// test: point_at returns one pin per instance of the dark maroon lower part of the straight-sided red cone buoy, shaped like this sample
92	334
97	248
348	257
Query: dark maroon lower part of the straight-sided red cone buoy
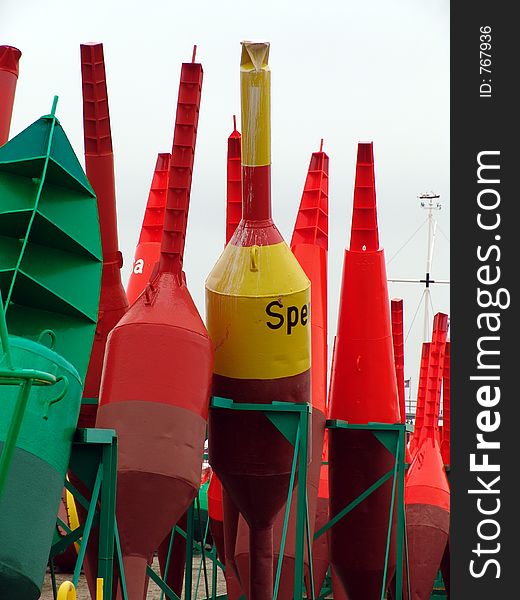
358	541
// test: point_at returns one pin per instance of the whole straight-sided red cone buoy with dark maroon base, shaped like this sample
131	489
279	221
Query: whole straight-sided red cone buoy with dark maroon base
363	389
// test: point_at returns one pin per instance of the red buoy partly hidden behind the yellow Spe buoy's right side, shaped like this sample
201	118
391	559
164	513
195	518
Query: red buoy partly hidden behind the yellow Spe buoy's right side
309	245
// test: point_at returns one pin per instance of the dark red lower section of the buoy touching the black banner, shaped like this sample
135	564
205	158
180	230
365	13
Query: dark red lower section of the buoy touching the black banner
427	530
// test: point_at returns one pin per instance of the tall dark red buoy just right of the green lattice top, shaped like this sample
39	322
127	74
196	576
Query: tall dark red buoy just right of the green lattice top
99	162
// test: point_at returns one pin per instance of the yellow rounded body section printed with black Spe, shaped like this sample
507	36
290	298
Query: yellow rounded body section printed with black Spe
258	313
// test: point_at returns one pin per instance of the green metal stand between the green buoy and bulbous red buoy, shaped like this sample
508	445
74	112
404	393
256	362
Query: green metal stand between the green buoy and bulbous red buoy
94	461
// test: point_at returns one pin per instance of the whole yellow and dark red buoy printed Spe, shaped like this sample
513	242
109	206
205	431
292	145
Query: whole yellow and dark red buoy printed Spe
257	306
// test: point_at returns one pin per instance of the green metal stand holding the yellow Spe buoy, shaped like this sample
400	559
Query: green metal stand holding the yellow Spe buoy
292	420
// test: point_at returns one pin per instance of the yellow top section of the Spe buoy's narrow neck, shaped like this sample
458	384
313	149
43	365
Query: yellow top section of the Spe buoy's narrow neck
255	88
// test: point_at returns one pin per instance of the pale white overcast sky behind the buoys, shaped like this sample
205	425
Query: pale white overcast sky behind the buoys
343	70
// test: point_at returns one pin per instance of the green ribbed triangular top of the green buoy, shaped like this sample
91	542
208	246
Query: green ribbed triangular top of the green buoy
50	246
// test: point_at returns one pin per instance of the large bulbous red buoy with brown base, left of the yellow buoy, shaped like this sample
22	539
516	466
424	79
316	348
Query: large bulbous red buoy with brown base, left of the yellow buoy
157	377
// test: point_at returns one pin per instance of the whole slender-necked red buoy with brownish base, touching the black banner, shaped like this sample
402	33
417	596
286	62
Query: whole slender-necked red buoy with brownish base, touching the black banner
427	493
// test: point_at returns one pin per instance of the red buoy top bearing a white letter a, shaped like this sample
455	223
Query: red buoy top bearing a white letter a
148	248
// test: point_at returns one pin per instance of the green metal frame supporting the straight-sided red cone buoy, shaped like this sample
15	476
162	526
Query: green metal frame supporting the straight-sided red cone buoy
393	437
